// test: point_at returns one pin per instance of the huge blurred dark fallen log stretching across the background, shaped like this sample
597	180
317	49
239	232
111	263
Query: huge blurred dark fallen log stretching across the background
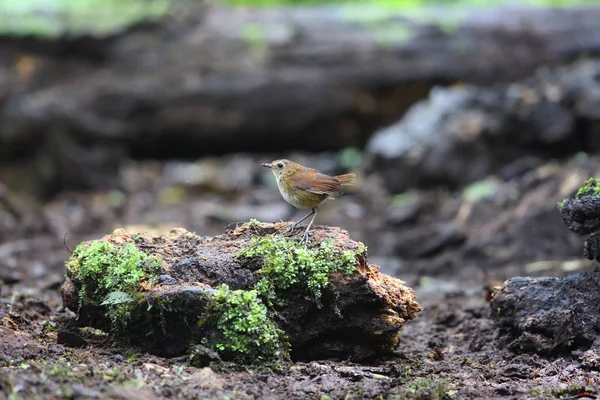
215	80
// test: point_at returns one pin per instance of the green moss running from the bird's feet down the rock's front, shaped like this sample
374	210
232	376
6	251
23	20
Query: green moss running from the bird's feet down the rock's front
243	317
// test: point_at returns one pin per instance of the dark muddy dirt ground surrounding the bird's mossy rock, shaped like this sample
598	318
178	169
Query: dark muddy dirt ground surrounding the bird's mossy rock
450	247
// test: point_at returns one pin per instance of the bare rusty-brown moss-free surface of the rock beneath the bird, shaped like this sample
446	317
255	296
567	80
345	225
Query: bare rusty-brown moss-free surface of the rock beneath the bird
358	315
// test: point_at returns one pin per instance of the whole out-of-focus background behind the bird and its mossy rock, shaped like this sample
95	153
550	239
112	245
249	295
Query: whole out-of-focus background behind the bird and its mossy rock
466	121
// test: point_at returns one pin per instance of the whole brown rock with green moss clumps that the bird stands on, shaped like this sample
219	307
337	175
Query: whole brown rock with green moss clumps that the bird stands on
251	294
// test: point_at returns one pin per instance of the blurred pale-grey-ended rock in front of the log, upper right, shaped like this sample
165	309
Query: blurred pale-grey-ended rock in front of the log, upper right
463	134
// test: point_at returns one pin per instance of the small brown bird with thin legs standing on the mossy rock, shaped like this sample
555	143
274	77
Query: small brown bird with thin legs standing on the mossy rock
306	188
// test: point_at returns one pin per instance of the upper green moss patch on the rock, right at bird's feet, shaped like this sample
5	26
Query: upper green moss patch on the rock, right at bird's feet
286	264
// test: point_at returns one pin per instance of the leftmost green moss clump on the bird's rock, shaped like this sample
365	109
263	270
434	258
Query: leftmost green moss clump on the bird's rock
111	276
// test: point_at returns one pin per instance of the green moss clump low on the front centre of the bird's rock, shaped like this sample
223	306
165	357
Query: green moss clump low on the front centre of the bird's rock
247	331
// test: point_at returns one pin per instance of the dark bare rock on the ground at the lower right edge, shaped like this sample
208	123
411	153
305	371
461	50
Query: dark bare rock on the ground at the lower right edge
548	316
